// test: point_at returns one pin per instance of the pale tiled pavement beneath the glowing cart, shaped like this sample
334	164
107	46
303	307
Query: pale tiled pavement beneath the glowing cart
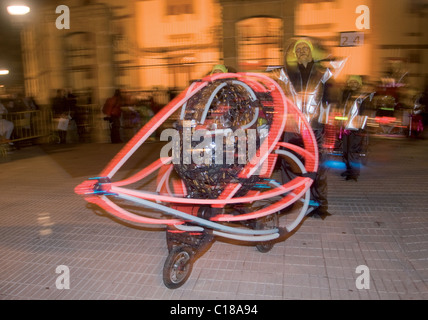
380	222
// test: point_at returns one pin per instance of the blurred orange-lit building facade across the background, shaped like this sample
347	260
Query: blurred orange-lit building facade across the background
165	44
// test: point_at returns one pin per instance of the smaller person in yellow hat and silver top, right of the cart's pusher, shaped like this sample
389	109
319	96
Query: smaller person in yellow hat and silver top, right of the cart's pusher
353	102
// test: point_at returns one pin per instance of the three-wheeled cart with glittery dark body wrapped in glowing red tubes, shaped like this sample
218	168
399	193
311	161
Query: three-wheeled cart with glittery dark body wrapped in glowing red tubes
218	177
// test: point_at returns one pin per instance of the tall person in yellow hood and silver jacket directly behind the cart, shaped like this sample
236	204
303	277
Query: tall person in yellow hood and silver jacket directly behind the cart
305	82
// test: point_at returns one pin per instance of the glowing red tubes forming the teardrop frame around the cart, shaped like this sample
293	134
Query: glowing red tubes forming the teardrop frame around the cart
281	105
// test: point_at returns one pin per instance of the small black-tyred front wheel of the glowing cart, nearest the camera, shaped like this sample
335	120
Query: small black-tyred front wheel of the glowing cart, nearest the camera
178	266
